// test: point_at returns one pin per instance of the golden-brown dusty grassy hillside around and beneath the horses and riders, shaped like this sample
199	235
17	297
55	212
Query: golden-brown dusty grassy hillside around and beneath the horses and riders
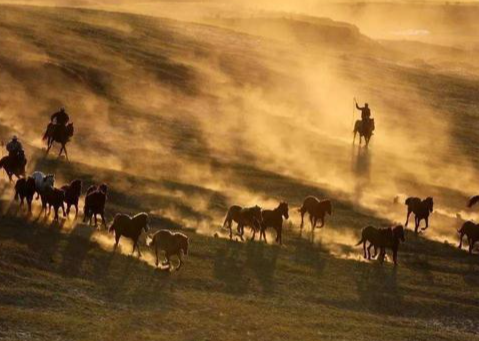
183	120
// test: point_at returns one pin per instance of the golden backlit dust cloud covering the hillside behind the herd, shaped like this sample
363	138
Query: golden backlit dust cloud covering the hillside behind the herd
213	104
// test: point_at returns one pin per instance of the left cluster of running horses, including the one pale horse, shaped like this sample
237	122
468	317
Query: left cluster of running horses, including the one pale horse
43	186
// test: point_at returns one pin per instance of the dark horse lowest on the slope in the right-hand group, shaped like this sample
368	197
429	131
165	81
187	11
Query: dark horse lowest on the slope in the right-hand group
382	239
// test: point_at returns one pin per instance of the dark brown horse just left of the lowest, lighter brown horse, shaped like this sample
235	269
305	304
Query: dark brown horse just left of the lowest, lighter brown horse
129	227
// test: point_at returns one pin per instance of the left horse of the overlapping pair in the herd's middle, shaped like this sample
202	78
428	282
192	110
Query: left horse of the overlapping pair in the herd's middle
250	216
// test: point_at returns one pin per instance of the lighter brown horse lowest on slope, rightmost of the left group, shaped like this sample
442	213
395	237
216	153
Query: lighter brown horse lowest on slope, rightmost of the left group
172	243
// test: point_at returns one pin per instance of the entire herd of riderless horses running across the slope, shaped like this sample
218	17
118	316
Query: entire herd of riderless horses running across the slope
255	218
